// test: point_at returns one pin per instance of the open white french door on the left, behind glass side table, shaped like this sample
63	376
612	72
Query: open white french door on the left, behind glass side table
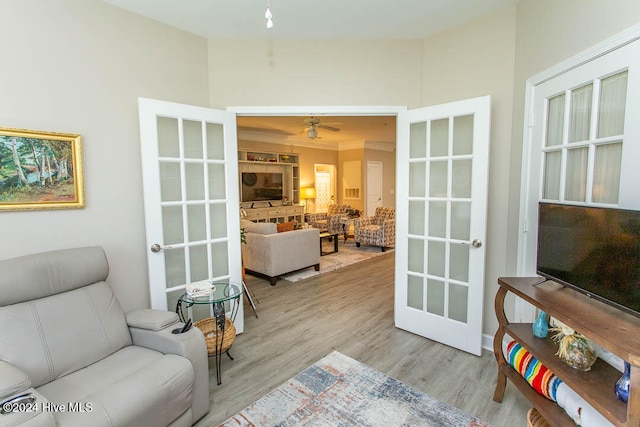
190	178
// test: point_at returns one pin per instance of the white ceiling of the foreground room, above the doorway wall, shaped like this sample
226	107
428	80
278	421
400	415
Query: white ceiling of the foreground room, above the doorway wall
313	19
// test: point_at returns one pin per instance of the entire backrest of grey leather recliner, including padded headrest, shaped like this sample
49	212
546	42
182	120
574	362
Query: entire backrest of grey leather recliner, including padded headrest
58	314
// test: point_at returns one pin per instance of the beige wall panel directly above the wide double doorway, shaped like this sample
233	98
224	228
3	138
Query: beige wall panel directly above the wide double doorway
314	73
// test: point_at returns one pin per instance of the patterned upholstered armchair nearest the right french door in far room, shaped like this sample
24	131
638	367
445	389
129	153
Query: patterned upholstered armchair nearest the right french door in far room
377	230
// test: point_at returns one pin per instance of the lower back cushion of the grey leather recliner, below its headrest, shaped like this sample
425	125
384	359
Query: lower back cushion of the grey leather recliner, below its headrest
43	338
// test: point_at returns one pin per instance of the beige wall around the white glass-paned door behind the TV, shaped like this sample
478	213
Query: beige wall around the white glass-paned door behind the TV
549	32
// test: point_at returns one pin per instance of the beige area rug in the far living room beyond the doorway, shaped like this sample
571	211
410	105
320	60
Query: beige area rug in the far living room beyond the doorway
347	254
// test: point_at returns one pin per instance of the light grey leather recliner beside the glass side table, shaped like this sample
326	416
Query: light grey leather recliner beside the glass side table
67	344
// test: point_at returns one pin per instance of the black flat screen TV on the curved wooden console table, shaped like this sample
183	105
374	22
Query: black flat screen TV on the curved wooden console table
593	250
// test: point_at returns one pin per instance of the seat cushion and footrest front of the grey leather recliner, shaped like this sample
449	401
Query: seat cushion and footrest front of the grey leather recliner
133	387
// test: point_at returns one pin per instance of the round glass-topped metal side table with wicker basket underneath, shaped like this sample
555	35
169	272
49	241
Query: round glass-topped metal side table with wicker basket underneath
218	330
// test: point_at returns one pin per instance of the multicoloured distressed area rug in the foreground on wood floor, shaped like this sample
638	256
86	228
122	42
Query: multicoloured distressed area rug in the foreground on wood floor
340	391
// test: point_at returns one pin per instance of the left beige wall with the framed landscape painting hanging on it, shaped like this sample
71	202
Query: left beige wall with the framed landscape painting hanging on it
79	66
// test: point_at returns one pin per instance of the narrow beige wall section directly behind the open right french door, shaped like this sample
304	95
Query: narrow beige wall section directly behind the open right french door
470	61
